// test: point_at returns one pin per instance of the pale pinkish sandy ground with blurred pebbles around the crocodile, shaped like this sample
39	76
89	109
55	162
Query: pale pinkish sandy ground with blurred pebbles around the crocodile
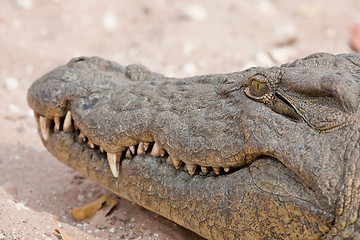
176	38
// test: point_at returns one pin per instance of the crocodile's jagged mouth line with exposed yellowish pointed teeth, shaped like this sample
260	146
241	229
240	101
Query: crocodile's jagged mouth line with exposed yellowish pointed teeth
66	124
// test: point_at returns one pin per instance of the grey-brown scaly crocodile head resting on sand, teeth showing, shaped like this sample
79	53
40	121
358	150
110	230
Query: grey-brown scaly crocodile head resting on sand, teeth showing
264	153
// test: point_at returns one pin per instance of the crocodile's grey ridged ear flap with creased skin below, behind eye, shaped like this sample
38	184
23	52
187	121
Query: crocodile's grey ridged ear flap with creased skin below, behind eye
322	100
